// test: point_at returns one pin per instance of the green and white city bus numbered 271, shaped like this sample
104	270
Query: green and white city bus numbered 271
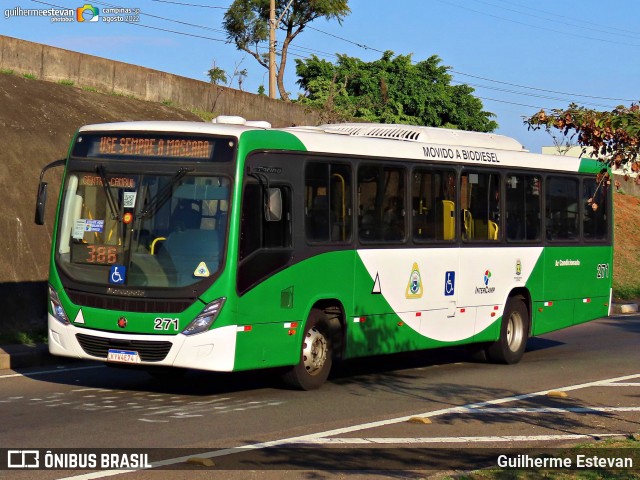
231	245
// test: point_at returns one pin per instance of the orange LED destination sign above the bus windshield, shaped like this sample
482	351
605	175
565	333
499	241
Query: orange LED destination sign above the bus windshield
148	146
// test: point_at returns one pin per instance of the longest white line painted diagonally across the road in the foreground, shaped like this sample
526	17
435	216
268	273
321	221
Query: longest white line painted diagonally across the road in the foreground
353	428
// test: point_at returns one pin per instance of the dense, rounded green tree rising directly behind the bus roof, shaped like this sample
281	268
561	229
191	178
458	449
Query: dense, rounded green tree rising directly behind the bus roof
391	90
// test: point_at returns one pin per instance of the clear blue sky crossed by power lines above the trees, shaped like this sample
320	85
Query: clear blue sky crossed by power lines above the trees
519	56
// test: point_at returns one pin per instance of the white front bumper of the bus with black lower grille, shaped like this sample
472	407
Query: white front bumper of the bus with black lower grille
213	350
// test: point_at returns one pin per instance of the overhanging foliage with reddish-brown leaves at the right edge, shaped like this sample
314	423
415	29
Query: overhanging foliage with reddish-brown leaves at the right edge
613	137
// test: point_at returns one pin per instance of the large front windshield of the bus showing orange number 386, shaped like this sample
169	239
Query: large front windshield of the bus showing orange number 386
142	230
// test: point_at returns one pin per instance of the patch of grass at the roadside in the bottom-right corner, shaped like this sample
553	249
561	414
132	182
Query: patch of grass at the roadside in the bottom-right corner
627	448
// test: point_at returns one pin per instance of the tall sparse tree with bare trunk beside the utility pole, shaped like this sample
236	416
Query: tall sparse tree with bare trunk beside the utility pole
247	25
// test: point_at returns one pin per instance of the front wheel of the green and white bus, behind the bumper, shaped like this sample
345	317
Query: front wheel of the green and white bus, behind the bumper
315	354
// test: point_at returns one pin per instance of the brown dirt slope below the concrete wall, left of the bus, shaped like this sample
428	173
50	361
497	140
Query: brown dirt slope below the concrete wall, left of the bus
37	121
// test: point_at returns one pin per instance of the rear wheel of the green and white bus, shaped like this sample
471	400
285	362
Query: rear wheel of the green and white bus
514	330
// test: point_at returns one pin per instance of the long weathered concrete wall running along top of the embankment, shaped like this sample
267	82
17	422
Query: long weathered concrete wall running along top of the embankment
55	64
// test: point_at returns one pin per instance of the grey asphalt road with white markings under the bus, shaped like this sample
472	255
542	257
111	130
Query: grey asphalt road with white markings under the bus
579	384
